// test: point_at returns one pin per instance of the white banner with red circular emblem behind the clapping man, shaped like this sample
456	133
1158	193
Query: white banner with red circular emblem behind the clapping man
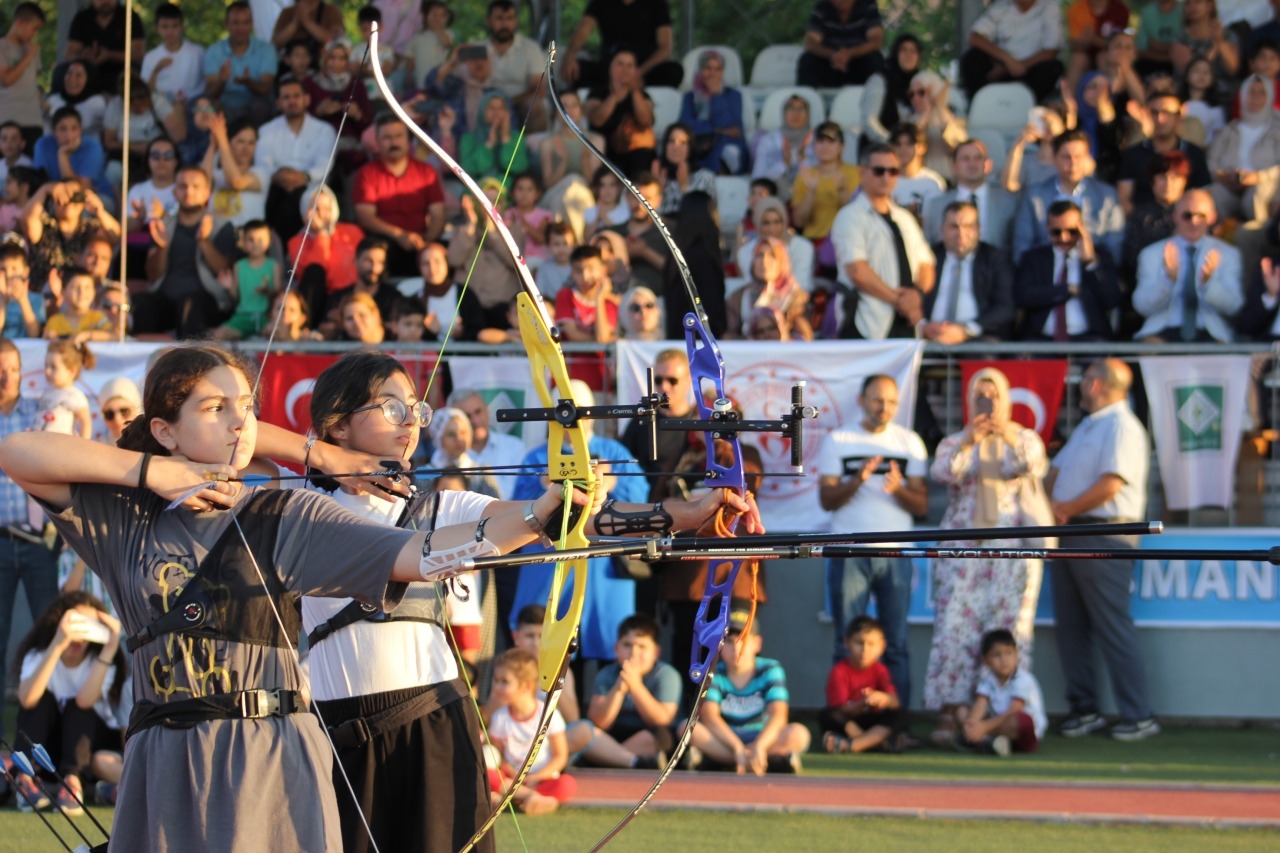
760	381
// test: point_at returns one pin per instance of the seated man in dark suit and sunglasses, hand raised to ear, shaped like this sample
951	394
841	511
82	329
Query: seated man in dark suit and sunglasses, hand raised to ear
1068	288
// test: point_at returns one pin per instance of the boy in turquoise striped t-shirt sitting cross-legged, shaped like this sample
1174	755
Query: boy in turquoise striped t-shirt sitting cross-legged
744	722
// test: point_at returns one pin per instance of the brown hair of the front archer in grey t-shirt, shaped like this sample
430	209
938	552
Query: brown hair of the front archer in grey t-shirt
171	380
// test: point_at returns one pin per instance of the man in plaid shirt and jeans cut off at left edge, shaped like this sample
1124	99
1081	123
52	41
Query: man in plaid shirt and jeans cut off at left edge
24	555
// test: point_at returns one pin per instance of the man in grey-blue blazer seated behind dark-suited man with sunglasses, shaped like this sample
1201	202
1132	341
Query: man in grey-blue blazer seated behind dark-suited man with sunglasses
1100	208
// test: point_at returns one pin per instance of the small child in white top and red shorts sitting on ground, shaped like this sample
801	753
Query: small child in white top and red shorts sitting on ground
514	728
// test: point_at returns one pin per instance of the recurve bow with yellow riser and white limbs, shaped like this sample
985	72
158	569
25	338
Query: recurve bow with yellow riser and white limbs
547	362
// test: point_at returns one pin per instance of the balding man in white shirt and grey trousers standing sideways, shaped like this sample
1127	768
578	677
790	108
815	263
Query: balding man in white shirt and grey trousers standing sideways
1100	476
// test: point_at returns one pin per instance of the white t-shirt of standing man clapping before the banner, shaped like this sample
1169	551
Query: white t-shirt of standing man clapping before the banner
871	508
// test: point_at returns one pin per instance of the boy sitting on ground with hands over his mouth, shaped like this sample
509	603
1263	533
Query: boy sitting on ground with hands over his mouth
637	699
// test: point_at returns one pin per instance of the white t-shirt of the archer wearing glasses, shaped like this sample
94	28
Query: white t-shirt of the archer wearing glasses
369	658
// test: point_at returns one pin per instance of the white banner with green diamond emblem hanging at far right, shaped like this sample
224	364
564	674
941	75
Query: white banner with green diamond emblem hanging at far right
1197	410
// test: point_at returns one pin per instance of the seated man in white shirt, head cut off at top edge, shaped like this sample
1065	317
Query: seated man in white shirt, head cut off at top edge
1016	40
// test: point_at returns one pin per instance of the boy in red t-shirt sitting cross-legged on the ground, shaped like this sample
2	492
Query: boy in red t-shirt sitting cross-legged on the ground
863	710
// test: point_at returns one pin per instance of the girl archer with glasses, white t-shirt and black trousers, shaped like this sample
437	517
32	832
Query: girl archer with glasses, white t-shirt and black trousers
390	690
